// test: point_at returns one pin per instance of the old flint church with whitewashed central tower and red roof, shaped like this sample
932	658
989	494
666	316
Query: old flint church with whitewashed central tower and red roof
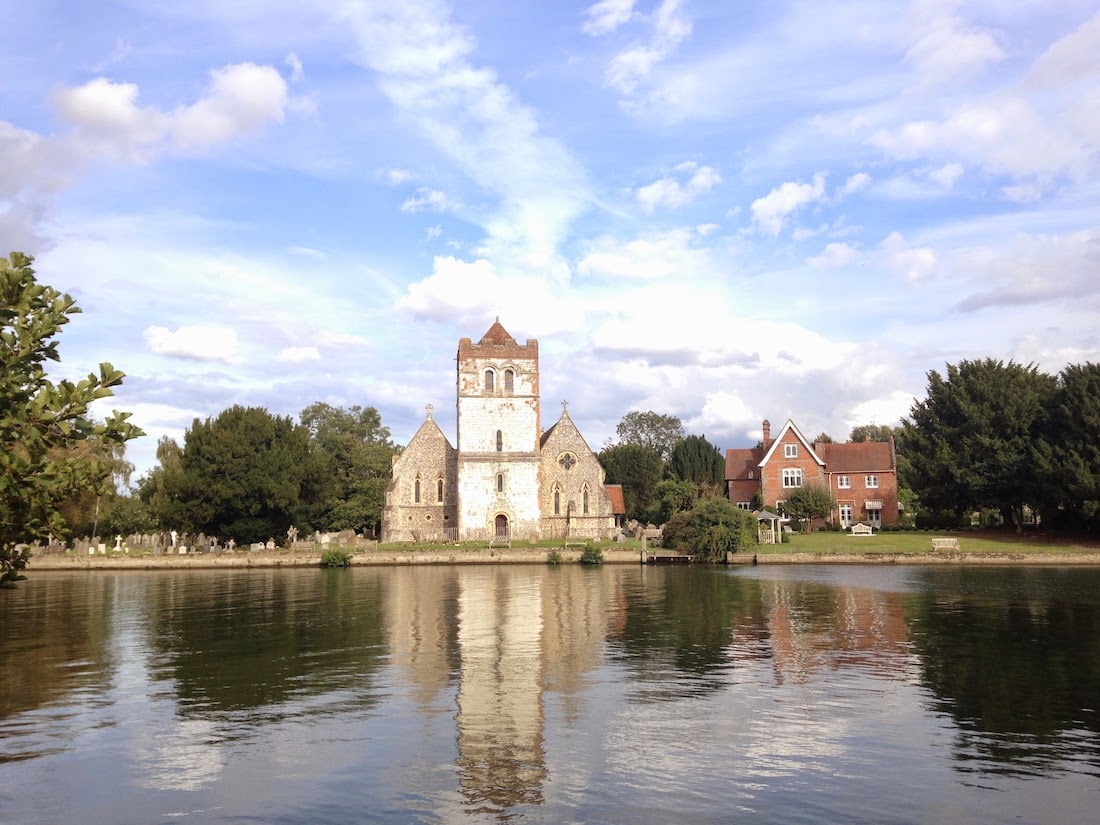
507	478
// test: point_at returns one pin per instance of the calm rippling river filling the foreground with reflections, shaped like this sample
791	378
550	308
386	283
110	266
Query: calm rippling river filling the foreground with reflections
541	695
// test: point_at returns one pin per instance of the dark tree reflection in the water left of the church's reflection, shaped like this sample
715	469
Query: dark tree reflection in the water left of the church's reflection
259	640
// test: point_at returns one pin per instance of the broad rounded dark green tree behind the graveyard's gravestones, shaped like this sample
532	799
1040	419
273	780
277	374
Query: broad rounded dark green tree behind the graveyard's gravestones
244	475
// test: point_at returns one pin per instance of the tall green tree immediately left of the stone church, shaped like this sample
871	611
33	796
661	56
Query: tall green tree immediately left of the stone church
359	458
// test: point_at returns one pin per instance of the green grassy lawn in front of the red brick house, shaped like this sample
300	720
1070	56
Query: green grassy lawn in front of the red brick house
919	542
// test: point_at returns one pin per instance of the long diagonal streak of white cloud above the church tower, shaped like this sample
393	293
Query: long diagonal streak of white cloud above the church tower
427	73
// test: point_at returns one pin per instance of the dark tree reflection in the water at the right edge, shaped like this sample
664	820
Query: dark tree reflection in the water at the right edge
1018	667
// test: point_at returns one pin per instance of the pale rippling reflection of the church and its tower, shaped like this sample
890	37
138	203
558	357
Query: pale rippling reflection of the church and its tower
511	640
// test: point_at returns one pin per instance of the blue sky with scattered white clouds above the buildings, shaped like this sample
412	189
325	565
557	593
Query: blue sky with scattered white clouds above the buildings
724	212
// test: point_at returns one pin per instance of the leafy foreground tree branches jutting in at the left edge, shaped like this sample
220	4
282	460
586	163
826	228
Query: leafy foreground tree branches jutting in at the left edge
42	424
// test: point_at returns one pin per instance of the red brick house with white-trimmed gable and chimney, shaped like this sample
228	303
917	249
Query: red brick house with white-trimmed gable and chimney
863	478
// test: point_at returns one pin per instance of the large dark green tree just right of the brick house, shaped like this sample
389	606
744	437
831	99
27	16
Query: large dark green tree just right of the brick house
973	443
